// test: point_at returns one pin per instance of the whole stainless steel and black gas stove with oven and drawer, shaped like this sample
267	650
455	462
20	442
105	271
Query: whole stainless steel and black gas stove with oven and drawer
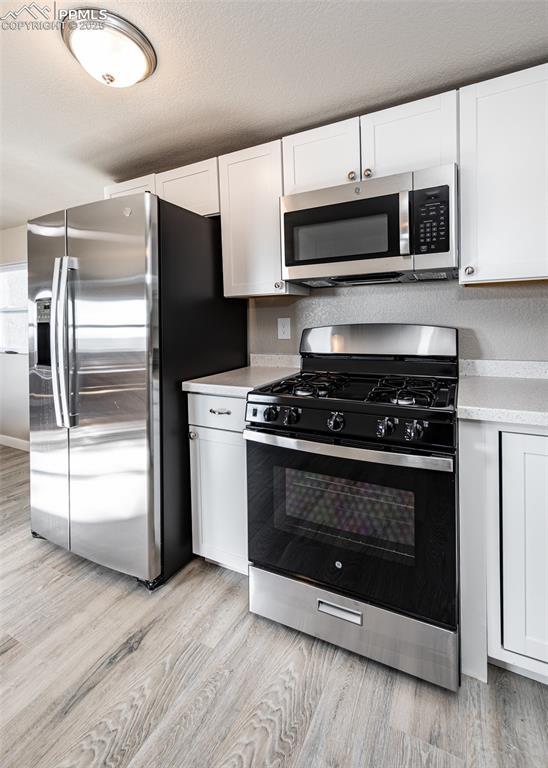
352	512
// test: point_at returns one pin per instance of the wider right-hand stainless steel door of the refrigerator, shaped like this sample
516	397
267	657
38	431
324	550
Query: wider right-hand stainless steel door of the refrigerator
114	509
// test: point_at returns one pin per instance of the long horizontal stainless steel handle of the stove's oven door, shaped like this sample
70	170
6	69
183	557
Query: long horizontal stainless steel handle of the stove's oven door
413	461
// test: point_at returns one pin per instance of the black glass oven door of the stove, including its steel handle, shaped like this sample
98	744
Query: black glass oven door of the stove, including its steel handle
376	525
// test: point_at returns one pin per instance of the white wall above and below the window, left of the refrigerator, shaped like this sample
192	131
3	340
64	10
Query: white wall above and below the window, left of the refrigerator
14	400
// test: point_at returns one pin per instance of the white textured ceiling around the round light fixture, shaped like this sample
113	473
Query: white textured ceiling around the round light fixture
232	74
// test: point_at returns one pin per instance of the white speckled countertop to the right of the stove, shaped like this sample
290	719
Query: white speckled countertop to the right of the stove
511	400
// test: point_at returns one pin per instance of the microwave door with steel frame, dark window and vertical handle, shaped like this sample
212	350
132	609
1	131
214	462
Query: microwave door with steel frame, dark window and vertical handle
351	230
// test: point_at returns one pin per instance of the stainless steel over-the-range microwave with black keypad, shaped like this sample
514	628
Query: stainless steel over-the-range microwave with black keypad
390	229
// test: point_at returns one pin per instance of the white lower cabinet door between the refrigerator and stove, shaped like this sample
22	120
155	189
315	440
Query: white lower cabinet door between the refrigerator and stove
219	496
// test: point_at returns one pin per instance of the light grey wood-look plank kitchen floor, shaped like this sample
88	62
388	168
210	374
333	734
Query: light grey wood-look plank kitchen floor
97	672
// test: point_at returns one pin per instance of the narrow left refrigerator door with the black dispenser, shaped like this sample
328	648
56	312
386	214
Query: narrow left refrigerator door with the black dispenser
49	447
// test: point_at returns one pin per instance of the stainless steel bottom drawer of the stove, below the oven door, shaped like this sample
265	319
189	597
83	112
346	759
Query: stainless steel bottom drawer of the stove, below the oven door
421	649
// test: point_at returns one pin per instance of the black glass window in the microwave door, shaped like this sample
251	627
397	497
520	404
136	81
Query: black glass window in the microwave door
363	229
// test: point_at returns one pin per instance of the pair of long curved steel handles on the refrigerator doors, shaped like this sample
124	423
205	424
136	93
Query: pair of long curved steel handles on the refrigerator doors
59	366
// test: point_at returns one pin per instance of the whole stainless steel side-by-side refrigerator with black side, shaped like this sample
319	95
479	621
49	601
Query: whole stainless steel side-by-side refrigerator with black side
125	302
